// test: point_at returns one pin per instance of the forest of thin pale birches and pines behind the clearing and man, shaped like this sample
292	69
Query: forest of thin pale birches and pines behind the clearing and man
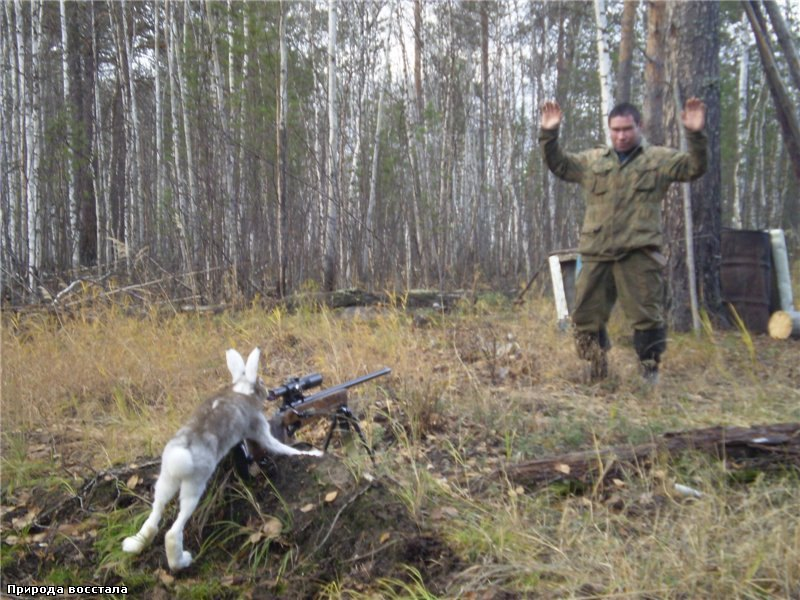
232	150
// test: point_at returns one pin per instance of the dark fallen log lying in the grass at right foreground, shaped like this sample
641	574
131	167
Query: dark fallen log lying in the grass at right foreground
759	446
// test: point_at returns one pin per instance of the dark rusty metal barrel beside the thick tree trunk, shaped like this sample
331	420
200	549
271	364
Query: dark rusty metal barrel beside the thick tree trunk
746	276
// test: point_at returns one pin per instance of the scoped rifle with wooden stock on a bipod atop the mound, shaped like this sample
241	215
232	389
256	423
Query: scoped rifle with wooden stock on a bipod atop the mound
298	410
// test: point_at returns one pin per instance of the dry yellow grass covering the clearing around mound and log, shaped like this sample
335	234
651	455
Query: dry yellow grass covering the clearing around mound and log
469	390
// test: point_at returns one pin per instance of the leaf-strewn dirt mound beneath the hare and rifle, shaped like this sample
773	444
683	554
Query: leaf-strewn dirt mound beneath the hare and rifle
289	530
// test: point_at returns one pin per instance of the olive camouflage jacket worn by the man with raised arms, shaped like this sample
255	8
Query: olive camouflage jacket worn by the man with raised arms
623	200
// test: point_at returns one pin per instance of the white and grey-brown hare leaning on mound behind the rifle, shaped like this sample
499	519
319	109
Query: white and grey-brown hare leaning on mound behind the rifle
190	457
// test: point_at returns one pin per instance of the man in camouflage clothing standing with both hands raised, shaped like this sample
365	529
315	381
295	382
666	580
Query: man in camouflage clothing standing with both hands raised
621	237
